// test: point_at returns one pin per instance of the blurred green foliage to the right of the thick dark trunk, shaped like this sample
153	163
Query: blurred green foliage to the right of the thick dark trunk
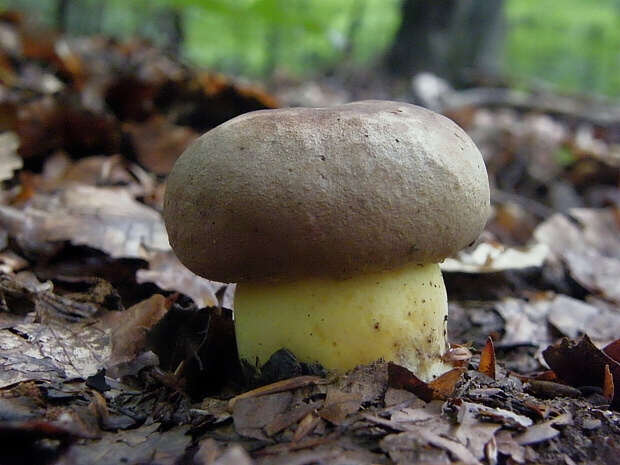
574	44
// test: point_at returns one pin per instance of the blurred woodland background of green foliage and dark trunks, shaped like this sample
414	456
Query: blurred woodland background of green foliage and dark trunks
560	45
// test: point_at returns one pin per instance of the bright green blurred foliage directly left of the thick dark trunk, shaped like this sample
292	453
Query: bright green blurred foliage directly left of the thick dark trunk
256	37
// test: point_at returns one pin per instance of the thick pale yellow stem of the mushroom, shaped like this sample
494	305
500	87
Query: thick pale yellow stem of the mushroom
399	316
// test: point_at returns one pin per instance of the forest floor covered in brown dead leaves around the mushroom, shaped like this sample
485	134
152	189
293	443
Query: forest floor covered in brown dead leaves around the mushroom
112	352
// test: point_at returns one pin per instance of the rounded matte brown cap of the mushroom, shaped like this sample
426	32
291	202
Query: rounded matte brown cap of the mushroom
325	192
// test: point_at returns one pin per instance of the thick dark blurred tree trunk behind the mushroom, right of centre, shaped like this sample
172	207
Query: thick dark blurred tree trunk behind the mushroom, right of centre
455	39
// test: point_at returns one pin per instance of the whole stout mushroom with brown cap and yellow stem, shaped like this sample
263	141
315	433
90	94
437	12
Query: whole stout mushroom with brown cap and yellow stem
332	222
